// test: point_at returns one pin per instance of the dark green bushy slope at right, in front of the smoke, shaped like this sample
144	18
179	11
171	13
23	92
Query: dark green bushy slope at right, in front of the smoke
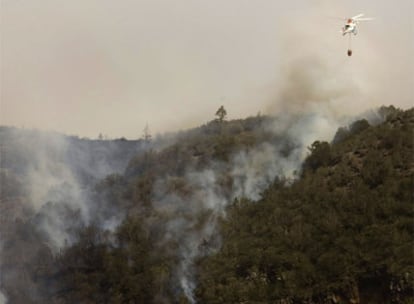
342	233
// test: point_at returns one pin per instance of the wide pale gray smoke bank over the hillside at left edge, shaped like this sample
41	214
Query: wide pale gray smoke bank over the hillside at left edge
47	191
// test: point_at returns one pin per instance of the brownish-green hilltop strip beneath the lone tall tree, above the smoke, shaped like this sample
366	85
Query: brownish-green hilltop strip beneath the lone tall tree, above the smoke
198	148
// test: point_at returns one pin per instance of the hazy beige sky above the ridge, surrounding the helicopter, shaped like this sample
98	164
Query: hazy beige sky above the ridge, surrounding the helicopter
86	67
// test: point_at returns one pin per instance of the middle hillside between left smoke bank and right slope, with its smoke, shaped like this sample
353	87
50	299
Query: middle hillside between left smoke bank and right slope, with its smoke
174	197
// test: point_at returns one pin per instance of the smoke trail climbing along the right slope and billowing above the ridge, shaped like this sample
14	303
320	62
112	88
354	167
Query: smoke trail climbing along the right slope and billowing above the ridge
309	106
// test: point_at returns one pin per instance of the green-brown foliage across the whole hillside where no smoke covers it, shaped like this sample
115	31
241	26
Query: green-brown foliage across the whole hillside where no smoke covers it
342	233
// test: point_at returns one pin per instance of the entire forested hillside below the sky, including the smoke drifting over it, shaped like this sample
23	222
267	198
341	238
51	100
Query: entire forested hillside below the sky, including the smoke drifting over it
230	212
